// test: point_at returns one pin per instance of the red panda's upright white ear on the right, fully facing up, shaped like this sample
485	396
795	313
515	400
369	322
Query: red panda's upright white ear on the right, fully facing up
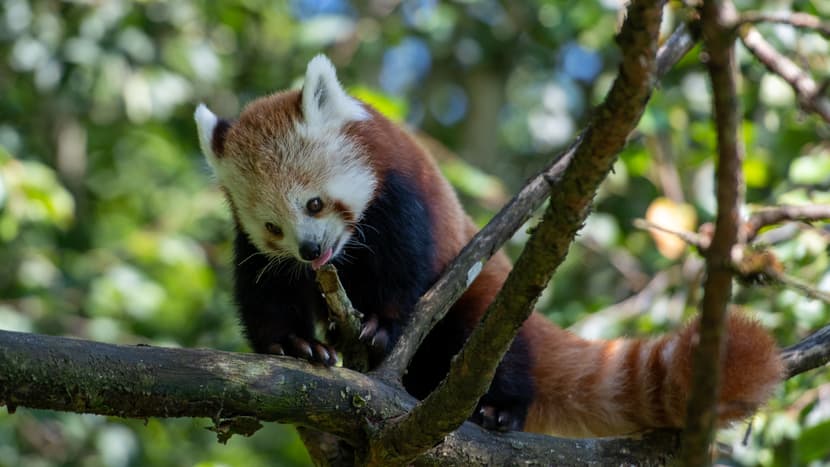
325	103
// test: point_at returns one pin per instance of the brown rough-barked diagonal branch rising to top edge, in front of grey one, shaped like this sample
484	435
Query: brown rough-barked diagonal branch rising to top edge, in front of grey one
473	368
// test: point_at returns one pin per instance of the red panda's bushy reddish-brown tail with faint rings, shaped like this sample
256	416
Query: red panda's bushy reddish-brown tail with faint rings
606	388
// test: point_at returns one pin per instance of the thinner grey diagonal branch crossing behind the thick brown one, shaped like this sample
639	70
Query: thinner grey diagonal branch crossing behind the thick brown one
438	300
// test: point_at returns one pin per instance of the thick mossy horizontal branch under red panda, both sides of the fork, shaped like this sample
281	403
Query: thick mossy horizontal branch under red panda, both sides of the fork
57	373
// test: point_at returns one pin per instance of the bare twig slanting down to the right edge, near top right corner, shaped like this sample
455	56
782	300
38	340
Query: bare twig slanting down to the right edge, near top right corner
808	92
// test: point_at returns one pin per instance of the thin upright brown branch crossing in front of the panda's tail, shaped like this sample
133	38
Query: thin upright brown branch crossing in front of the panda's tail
718	18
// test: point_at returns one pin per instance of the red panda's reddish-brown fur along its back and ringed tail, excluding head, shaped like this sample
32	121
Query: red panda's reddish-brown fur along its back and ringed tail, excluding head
585	388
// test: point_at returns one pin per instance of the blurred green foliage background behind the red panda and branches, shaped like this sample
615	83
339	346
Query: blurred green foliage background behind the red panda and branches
111	228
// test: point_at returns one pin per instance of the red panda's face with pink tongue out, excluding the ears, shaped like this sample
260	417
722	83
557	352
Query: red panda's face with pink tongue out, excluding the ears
299	200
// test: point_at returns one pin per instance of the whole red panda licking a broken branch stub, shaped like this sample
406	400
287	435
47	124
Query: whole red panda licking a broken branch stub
314	176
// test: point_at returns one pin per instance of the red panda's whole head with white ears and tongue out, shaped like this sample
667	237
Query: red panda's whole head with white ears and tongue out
296	182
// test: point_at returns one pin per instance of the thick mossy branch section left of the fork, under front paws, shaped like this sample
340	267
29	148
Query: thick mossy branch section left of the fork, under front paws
57	373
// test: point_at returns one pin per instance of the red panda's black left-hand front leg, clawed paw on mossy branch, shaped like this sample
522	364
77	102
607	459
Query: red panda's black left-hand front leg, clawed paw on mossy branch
277	306
